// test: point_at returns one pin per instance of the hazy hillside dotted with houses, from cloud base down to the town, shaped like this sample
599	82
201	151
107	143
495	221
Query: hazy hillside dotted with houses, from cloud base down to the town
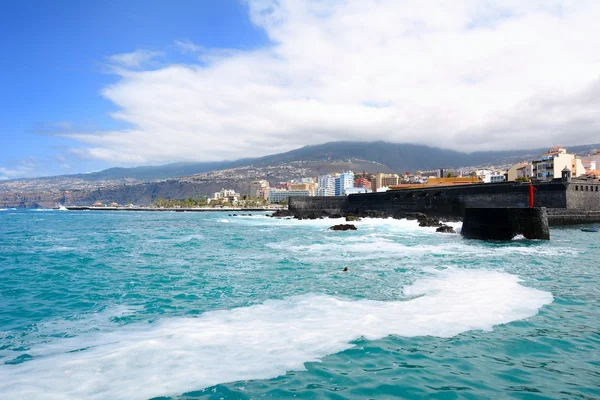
143	184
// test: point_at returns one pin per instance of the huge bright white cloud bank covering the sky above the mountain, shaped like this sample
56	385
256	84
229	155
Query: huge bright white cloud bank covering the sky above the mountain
466	74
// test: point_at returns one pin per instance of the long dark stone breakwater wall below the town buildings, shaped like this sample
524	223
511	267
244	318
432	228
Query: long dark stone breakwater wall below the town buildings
568	202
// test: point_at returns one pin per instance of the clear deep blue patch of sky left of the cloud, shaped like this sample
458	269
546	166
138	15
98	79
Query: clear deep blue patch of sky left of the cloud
54	68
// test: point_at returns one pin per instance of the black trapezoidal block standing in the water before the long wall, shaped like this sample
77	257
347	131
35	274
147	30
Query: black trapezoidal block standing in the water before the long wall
505	223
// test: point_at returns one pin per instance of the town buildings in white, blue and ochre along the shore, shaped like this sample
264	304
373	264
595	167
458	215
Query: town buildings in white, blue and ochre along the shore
261	193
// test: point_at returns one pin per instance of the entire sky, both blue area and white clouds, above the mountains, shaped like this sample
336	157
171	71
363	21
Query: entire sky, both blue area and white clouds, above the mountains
90	85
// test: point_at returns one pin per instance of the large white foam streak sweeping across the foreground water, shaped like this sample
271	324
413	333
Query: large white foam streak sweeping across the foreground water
260	342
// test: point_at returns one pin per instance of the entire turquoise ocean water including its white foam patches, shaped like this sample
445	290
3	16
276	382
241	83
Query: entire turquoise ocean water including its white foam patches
142	305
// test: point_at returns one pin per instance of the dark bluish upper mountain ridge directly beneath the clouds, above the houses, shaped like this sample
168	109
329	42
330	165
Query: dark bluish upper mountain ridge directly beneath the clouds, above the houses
396	156
